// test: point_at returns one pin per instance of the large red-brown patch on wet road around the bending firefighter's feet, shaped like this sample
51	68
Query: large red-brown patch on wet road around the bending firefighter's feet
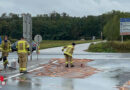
56	68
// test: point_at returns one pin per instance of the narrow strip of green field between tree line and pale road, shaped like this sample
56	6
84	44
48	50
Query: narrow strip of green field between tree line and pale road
56	43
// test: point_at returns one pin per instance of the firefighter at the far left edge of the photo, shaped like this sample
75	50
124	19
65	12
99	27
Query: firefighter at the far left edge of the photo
6	48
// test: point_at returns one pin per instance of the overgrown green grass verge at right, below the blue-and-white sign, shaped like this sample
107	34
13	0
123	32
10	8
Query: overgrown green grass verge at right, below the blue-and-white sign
114	46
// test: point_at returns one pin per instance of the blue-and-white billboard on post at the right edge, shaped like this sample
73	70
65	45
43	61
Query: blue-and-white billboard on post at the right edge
124	27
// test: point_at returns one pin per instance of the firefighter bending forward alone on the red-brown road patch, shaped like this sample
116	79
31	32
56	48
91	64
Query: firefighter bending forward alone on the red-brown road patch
68	54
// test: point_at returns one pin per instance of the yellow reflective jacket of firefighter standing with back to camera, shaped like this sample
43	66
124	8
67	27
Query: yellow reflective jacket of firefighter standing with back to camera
22	46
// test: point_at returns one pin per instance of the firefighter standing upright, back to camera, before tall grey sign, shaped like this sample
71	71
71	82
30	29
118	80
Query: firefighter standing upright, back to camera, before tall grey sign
22	49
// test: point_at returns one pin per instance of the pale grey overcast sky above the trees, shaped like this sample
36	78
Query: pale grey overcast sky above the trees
71	7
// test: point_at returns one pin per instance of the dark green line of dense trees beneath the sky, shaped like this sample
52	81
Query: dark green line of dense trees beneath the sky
55	26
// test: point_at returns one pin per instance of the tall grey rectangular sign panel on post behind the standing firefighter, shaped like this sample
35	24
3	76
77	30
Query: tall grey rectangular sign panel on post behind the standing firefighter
27	30
